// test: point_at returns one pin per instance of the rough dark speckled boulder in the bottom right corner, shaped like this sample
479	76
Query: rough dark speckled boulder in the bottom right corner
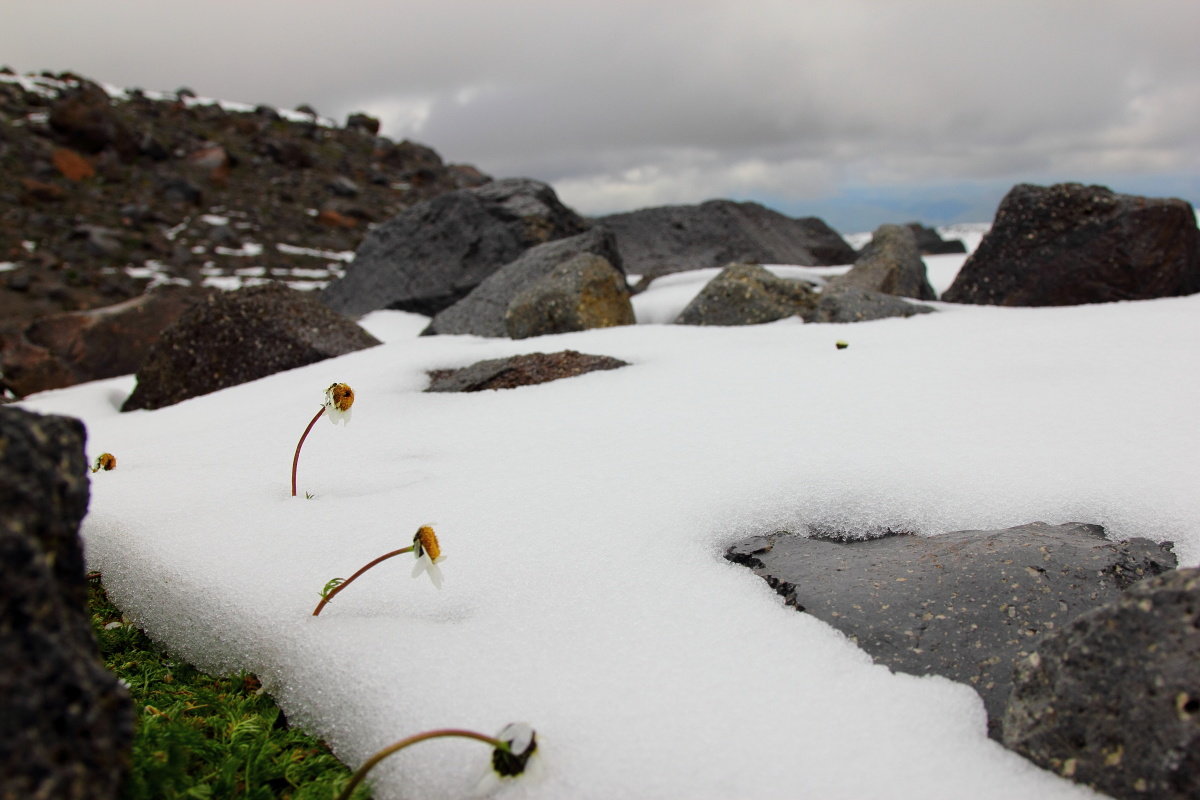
1113	700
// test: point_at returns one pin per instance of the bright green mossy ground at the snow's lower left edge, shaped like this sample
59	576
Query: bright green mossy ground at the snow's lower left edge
200	737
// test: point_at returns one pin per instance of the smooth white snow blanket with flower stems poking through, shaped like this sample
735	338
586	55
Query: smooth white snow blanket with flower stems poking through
586	520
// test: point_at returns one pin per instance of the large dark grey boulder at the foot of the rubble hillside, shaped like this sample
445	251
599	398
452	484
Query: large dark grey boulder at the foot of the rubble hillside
431	256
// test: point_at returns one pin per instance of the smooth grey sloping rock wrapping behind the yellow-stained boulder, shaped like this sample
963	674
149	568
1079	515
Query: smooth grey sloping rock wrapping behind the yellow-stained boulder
482	312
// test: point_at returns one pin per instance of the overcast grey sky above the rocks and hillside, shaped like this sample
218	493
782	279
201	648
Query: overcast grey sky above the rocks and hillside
861	112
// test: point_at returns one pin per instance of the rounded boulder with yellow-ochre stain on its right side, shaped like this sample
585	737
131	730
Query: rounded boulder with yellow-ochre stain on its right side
579	296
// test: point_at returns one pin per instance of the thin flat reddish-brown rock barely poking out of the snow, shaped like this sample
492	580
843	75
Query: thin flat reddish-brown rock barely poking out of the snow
520	371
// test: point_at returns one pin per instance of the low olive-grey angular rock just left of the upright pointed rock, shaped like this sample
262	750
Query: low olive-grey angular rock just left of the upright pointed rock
748	294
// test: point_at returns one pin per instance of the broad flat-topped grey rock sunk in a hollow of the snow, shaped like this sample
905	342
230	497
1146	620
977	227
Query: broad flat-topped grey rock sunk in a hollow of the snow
963	605
